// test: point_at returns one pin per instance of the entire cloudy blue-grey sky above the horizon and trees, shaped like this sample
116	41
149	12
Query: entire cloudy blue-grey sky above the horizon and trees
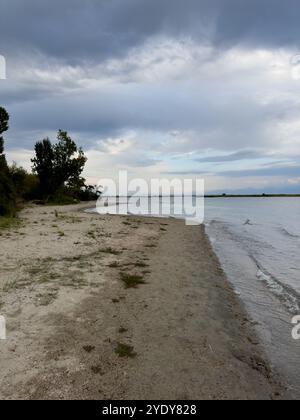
161	88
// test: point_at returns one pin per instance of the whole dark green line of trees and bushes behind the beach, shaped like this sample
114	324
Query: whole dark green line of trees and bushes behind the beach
56	175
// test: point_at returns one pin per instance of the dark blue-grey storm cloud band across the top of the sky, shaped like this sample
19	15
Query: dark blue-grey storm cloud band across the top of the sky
75	29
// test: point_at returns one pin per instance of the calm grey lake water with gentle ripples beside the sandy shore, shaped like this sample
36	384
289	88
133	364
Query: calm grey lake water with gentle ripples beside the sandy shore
257	241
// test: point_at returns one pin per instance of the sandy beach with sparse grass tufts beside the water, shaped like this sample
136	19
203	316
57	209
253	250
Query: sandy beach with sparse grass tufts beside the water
67	310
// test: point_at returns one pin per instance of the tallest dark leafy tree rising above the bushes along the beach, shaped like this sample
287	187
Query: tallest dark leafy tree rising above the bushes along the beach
58	165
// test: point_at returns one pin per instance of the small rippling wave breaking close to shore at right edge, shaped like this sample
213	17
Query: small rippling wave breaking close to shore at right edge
286	294
